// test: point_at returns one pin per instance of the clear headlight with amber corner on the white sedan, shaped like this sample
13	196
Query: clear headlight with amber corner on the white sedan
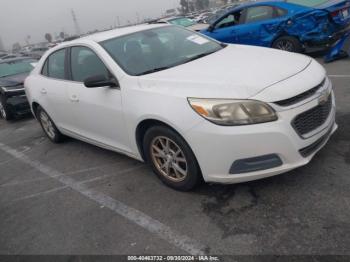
233	112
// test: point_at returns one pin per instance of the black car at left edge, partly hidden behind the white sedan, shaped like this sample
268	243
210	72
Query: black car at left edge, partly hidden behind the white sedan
13	72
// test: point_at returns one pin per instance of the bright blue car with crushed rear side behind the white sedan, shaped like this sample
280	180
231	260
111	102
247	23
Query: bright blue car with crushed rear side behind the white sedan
290	25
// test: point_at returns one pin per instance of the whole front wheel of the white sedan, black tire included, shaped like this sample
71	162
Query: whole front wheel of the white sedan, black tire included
180	168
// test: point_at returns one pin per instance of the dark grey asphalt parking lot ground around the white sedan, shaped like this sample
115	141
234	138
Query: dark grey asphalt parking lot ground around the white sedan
75	198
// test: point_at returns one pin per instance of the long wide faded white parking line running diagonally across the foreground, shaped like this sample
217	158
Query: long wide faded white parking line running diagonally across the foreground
152	225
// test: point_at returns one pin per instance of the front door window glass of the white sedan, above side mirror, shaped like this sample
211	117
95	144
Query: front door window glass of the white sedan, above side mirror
85	63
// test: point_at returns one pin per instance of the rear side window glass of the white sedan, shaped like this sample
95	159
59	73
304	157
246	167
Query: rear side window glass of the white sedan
54	66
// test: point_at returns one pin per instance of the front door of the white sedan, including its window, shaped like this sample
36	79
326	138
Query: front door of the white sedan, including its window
98	111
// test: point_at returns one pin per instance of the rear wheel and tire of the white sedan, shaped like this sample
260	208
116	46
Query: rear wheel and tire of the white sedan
49	126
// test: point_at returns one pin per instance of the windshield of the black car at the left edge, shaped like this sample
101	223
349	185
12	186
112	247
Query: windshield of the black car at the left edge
16	67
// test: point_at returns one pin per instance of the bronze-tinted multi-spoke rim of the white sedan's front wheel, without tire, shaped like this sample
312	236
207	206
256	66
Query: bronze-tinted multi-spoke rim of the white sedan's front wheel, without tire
169	159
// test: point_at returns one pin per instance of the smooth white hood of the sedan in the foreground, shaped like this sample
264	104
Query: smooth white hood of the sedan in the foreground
236	71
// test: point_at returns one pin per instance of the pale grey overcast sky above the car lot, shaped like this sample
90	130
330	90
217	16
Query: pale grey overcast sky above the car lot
22	18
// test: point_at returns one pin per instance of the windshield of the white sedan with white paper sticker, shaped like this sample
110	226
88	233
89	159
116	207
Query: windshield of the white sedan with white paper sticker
158	49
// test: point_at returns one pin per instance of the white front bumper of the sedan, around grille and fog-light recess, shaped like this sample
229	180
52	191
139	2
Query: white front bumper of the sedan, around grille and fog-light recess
217	147
